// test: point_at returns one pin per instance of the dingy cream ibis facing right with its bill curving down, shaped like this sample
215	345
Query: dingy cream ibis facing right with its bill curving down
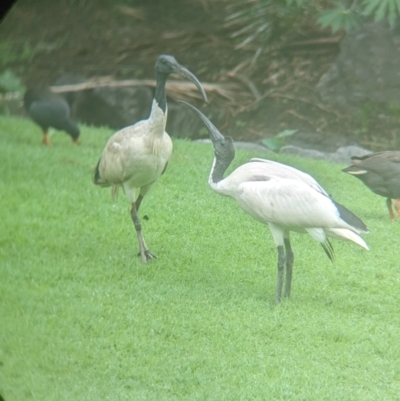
136	156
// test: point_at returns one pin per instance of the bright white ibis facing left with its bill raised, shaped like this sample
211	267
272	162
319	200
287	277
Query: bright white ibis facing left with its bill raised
284	198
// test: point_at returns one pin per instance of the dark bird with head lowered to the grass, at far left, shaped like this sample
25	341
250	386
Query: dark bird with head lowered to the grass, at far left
50	110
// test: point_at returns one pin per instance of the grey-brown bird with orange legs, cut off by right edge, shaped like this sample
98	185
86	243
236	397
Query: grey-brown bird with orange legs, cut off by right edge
380	172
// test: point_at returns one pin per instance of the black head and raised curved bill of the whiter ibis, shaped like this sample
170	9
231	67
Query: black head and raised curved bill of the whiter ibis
223	146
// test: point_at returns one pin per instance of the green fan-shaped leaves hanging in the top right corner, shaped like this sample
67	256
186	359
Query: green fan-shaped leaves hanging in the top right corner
264	21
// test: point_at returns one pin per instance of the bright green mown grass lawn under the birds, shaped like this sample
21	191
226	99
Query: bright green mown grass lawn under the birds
82	319
